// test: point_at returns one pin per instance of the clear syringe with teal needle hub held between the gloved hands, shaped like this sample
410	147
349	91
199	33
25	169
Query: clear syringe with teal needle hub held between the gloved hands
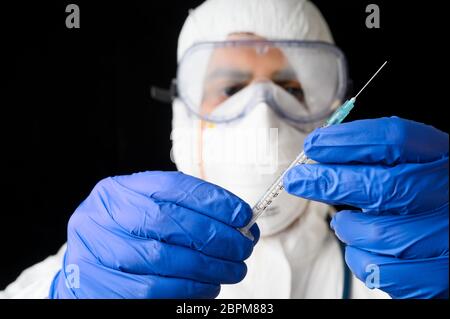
277	187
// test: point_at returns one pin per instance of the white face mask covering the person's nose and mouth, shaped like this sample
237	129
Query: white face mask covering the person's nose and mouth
244	156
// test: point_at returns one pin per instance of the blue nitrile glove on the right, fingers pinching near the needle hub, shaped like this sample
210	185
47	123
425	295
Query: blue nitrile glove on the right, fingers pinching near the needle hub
396	172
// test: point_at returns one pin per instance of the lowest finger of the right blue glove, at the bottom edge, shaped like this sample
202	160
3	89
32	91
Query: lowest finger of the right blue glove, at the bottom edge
416	278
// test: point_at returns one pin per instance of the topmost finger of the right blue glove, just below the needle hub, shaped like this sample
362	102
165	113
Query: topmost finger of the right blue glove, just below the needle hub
386	141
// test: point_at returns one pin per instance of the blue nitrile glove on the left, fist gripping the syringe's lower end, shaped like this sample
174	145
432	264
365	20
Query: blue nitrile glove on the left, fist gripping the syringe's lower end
154	235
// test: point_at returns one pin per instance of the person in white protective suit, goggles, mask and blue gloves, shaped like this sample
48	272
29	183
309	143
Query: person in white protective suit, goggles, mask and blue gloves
255	80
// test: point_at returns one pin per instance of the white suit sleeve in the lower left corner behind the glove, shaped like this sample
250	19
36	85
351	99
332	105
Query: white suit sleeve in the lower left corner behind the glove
34	282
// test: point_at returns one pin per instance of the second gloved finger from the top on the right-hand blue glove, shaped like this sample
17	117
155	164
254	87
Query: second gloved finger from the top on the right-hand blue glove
402	189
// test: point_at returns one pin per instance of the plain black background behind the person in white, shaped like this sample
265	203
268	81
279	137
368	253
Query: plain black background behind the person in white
77	108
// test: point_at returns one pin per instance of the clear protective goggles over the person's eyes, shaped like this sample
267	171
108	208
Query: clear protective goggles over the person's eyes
302	81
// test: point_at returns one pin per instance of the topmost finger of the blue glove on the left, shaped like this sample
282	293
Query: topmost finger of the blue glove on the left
189	192
